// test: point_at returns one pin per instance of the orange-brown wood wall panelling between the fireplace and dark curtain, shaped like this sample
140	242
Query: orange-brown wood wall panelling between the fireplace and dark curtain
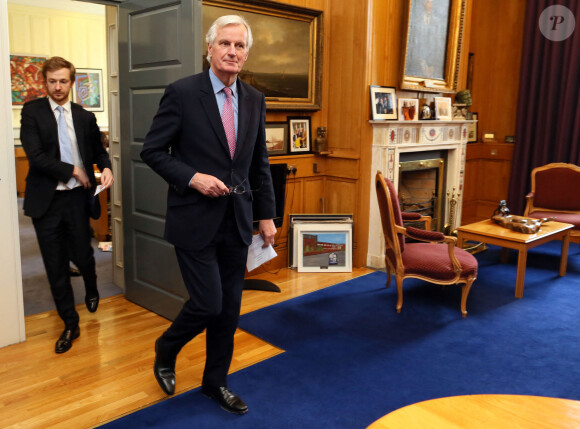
496	44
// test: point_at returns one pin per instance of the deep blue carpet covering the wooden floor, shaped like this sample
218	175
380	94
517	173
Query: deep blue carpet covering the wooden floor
350	358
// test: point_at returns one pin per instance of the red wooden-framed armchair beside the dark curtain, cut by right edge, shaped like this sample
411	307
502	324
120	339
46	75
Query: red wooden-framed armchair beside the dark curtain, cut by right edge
556	194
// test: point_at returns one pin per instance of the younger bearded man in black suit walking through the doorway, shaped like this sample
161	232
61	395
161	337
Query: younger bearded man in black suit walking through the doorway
62	142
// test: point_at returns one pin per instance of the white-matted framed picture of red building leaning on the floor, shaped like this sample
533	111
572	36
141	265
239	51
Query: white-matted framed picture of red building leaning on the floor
324	247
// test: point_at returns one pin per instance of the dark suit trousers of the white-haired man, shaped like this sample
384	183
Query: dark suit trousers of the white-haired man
214	278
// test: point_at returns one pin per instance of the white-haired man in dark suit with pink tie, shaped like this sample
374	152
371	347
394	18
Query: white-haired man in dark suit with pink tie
208	142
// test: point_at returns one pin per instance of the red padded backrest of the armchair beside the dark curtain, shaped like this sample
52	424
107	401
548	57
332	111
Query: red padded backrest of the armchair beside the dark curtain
558	189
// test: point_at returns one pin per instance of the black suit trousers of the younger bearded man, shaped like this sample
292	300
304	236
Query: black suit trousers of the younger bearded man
64	235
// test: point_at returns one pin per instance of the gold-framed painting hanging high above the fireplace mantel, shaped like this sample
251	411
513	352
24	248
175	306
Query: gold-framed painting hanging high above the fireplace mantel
432	45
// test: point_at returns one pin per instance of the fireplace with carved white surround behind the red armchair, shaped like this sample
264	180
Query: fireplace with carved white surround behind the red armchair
425	160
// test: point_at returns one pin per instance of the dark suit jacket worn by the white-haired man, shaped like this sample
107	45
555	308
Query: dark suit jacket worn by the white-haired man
186	137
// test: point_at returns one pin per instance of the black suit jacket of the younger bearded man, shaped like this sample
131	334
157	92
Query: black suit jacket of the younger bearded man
39	137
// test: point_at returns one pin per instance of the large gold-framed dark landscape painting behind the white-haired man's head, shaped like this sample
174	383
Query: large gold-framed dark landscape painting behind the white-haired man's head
285	62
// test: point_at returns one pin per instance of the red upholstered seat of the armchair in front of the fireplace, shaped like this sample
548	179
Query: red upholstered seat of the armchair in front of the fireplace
432	260
